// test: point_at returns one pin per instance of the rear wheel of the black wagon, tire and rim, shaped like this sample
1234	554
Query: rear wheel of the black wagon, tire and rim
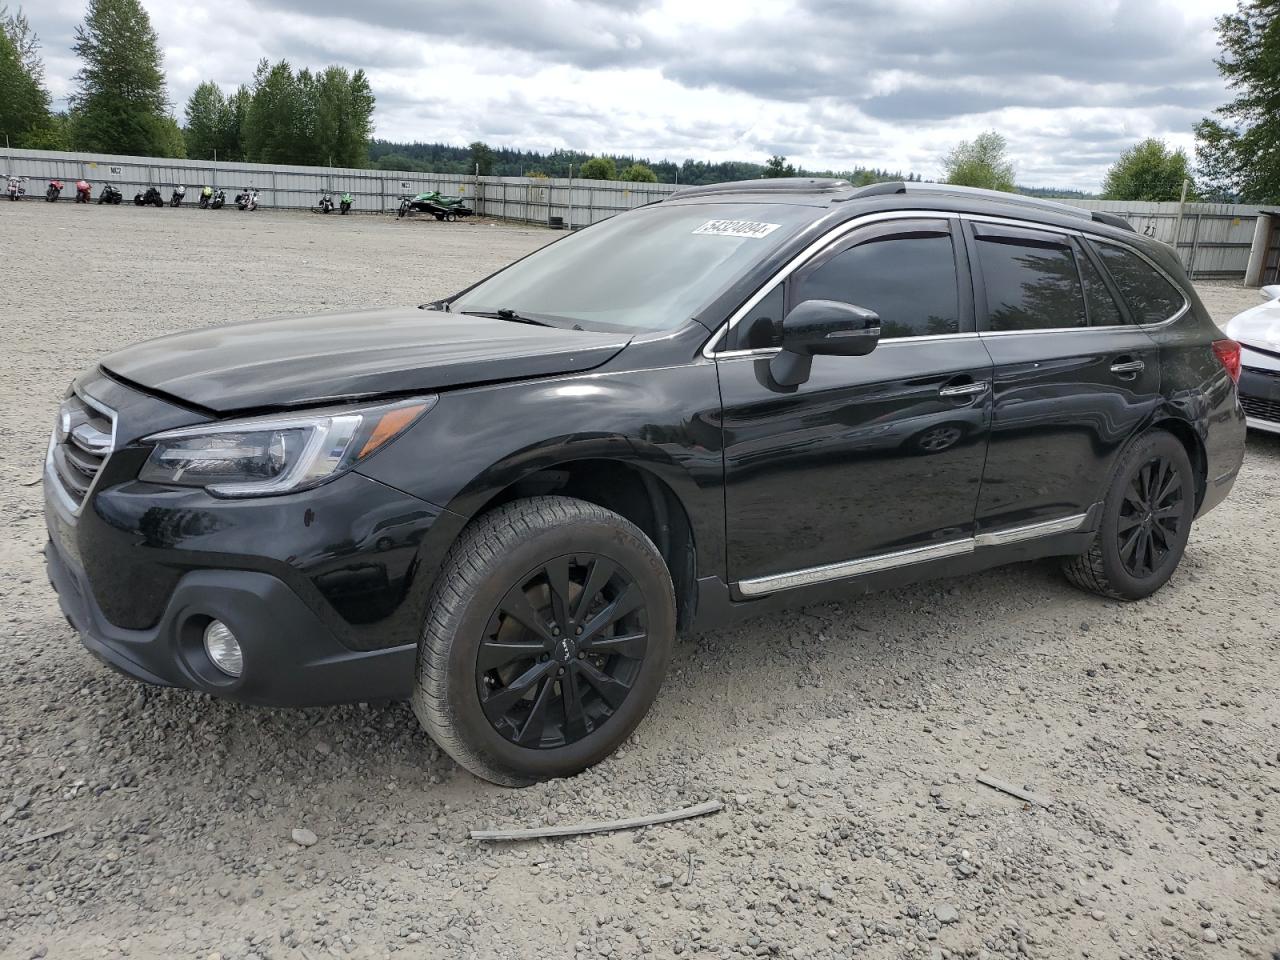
1146	522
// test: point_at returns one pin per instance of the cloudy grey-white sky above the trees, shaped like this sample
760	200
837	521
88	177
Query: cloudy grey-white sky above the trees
830	84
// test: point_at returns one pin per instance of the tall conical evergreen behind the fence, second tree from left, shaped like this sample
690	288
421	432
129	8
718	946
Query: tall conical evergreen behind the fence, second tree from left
120	106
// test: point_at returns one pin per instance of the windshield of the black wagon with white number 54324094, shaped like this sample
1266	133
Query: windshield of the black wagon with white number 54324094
648	271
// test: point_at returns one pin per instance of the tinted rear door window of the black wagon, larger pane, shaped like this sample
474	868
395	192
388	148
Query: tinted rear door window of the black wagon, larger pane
1031	287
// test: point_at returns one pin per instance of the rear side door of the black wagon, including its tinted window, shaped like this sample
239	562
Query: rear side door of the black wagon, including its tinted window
1075	377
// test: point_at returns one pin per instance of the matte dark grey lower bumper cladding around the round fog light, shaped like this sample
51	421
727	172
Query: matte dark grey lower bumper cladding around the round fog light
291	659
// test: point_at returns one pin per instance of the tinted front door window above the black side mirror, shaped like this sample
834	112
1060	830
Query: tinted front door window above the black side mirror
909	281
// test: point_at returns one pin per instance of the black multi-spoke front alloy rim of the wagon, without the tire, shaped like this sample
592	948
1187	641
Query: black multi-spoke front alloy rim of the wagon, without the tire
561	652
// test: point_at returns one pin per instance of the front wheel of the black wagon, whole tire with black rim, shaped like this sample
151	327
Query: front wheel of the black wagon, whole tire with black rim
504	561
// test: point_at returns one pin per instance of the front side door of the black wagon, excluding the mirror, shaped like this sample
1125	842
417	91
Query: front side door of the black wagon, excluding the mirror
872	455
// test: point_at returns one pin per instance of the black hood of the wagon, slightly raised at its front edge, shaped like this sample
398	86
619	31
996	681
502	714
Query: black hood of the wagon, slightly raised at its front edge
313	360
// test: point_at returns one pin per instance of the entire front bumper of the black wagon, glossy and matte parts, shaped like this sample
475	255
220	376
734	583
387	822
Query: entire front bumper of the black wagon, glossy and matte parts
326	589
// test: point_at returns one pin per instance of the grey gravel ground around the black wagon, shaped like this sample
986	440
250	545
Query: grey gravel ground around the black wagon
845	739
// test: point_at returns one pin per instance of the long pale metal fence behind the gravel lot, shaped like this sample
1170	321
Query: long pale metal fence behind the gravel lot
1213	239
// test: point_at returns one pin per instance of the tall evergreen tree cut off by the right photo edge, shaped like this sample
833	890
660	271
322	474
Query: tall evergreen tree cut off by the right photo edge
1240	154
